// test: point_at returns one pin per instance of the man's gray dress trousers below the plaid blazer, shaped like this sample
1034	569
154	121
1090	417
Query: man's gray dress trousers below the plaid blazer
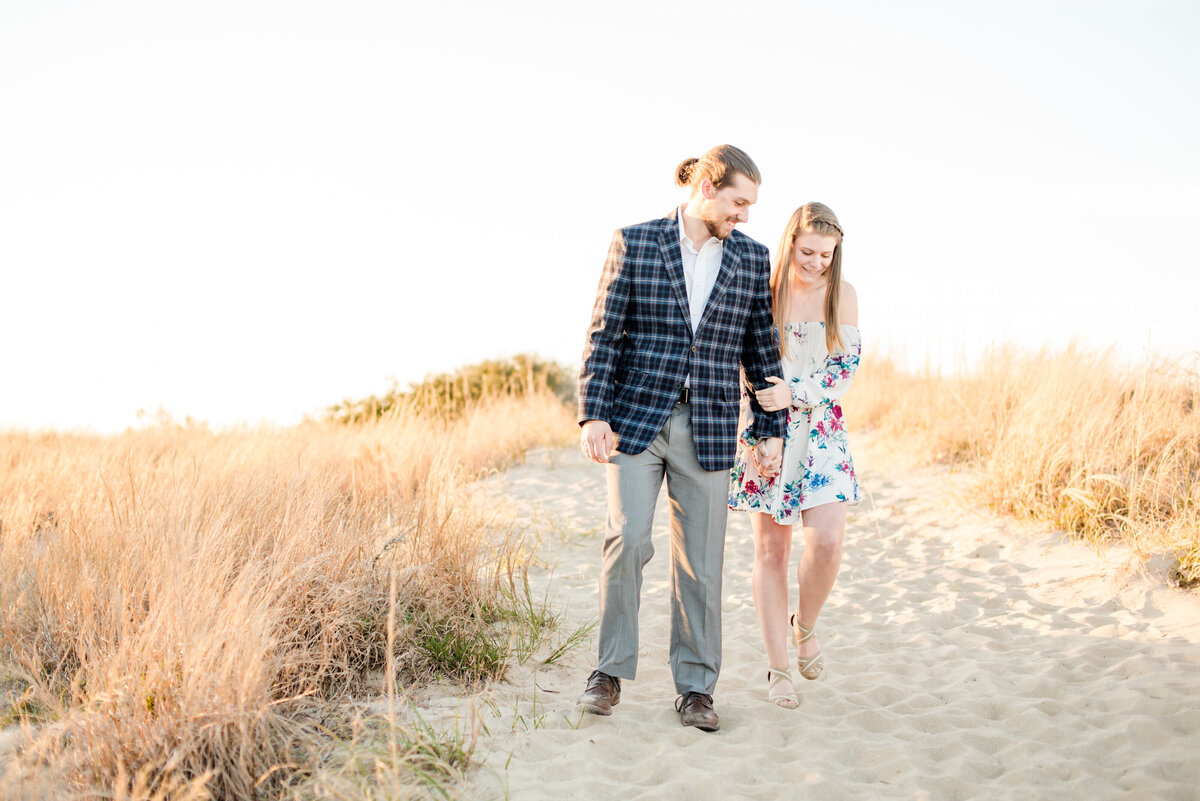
699	511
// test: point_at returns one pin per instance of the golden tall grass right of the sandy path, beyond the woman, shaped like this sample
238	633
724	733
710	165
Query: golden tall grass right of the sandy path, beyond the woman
1106	450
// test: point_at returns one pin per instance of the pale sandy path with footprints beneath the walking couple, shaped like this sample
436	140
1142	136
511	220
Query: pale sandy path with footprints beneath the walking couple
968	658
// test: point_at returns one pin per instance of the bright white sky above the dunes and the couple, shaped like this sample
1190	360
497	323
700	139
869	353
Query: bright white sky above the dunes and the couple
249	210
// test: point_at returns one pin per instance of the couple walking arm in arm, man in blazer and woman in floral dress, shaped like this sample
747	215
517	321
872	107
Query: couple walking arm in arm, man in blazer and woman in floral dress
683	304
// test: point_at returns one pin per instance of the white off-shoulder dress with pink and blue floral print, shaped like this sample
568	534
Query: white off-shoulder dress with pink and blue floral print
818	468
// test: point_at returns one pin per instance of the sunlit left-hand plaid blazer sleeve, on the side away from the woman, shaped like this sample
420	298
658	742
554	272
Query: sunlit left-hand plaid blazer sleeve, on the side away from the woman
608	327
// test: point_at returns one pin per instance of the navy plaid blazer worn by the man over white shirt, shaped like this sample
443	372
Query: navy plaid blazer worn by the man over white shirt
640	346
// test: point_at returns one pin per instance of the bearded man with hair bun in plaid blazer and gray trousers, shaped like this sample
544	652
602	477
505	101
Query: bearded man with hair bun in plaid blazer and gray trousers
683	302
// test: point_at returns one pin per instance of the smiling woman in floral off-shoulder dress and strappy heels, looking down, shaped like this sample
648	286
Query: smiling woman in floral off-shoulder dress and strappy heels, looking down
817	318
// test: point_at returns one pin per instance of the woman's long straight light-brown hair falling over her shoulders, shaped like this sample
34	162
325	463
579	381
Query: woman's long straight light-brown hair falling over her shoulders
811	219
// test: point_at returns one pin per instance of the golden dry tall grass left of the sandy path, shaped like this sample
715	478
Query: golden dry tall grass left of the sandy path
184	610
